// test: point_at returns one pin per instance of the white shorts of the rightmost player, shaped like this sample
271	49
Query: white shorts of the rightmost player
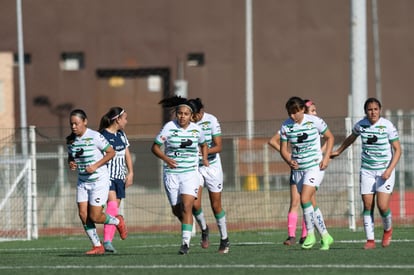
371	182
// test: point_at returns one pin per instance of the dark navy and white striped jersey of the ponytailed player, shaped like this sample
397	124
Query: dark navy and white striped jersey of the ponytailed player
117	165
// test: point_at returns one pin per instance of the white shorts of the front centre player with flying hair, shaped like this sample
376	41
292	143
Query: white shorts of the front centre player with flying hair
177	184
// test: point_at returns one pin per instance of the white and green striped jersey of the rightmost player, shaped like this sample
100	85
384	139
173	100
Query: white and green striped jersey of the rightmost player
376	142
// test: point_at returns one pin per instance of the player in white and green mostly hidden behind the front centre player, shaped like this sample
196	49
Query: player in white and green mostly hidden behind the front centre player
211	176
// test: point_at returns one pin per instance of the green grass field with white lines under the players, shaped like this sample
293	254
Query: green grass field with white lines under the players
251	252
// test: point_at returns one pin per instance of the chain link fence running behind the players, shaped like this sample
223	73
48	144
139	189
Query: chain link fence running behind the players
256	184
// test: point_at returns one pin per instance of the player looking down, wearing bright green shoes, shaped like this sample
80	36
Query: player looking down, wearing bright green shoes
302	132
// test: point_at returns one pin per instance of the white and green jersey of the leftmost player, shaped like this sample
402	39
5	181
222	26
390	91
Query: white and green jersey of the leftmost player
87	150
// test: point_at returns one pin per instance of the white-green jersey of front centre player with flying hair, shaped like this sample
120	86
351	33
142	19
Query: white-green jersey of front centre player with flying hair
182	145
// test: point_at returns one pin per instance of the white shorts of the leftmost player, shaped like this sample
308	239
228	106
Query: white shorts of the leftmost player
95	193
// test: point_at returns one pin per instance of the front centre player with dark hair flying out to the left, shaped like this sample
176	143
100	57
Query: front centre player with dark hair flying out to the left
181	139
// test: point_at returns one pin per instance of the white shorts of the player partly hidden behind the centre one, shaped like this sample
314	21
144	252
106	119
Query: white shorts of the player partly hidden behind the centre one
212	177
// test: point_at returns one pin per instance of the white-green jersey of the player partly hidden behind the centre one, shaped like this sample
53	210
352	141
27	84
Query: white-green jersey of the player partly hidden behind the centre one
211	128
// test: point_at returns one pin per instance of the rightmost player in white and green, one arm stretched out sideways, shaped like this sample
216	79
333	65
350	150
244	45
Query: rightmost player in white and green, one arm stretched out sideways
381	151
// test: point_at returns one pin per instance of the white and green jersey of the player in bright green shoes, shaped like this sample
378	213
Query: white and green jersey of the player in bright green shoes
304	139
